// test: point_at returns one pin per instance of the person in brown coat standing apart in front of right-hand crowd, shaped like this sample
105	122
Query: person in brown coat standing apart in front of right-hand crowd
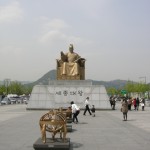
124	109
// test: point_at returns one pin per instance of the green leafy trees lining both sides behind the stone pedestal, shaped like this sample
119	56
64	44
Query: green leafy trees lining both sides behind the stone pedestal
17	88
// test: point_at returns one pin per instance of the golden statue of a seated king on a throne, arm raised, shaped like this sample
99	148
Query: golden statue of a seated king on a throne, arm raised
71	66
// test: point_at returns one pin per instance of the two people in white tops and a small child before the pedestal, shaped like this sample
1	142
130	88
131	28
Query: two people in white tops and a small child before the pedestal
76	110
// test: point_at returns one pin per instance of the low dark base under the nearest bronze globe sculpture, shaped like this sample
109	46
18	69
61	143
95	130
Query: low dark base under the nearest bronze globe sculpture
50	145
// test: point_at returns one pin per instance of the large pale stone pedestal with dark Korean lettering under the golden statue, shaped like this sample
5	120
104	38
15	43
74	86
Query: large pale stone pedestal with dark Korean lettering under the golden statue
60	93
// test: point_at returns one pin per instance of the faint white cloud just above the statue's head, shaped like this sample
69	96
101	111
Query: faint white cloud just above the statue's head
56	31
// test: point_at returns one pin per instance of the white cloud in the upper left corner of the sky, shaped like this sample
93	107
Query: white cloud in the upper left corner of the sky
11	12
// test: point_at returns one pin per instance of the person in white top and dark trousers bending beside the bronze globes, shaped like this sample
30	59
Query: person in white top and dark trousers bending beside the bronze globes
75	112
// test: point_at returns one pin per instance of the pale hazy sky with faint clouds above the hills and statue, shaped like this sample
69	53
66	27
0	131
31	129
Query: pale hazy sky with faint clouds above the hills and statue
112	35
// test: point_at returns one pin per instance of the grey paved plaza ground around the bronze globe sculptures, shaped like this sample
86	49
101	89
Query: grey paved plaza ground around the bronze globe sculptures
19	129
